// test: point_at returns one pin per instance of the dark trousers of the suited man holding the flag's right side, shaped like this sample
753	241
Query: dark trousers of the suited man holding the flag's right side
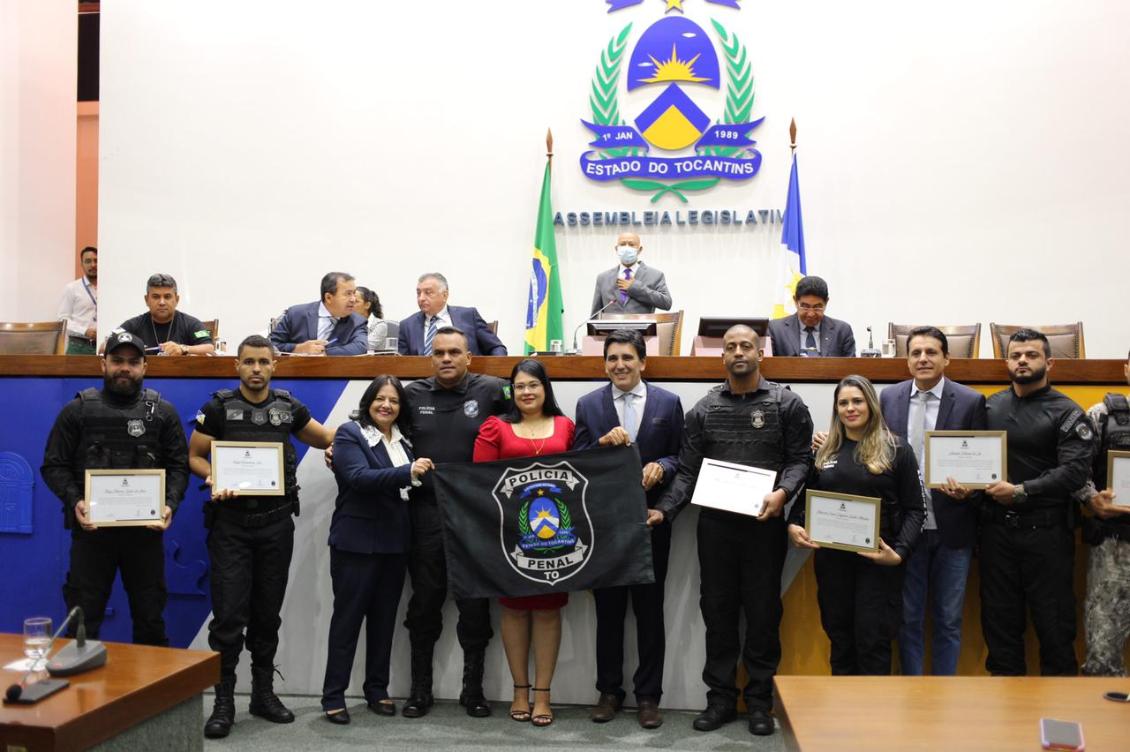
648	607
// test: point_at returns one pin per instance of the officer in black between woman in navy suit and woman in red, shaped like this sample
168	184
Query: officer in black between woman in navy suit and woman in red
447	411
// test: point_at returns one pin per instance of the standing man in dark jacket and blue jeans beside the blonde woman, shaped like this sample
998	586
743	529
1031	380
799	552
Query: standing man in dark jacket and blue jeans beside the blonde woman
941	564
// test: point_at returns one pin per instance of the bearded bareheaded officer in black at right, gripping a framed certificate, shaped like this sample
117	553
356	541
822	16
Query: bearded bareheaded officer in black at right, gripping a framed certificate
1028	537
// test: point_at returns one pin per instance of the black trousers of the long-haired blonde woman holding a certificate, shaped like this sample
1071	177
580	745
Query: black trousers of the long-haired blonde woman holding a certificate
862	610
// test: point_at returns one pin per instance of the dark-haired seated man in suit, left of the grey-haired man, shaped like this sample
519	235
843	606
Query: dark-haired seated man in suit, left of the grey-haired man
326	327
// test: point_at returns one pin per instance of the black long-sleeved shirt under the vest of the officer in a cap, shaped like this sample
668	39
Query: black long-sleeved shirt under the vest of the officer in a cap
65	471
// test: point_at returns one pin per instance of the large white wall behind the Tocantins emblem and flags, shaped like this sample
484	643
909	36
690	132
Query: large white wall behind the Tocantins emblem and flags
959	165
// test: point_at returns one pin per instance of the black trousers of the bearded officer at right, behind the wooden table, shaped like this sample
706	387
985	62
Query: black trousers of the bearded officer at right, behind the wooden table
1028	569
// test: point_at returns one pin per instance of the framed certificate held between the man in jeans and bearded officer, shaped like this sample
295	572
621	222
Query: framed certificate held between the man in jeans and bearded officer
977	460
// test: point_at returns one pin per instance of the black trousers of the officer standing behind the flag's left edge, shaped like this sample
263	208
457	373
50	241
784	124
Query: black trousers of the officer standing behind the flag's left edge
429	572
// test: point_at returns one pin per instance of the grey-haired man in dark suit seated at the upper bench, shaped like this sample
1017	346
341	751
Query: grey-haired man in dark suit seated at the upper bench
418	331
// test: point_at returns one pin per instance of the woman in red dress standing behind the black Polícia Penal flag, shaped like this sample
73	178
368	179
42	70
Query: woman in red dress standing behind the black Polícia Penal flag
535	426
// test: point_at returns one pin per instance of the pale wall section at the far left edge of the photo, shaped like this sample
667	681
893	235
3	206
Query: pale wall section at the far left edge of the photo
39	54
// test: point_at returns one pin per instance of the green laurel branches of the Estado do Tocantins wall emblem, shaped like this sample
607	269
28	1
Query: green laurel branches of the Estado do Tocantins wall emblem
740	106
